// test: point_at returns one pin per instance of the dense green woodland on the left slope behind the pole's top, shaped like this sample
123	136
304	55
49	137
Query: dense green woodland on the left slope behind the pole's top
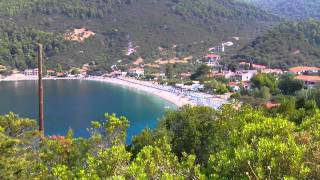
18	45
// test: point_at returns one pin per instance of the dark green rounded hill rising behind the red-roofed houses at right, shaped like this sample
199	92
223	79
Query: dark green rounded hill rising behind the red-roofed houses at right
289	44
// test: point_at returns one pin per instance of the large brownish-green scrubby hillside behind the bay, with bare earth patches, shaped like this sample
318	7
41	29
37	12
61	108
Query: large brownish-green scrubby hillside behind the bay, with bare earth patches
181	27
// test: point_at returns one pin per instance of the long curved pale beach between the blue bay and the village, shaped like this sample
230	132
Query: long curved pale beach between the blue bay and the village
175	96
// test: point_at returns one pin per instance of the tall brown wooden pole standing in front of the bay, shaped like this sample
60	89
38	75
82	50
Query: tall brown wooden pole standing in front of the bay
40	90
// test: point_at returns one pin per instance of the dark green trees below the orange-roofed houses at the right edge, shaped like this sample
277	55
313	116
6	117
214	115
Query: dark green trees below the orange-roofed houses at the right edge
283	95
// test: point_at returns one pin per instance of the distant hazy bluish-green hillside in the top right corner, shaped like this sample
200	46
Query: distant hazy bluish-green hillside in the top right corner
298	9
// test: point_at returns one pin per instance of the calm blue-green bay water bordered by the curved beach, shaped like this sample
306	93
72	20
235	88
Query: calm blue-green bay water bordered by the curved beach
75	103
